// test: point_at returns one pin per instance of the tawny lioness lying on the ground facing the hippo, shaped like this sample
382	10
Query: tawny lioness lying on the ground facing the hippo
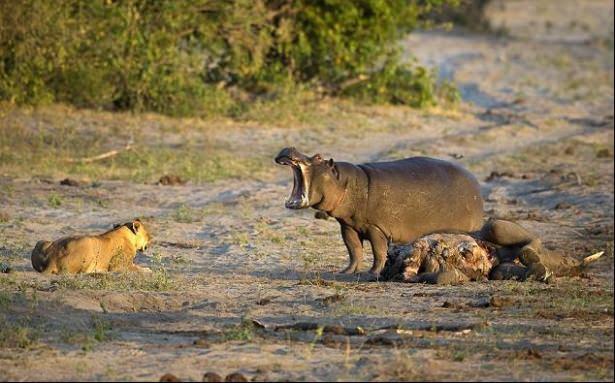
114	250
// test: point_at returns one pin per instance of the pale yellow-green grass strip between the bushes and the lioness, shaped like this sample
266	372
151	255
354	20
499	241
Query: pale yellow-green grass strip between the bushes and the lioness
47	150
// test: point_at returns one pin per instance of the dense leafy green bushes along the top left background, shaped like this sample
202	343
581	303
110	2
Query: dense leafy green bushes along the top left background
194	57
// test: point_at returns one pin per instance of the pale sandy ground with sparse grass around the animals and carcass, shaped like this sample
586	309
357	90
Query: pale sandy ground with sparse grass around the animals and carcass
233	268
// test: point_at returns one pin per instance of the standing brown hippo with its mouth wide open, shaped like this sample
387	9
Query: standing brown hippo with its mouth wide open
383	202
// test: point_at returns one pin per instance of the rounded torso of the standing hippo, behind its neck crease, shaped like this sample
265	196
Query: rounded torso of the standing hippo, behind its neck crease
417	196
